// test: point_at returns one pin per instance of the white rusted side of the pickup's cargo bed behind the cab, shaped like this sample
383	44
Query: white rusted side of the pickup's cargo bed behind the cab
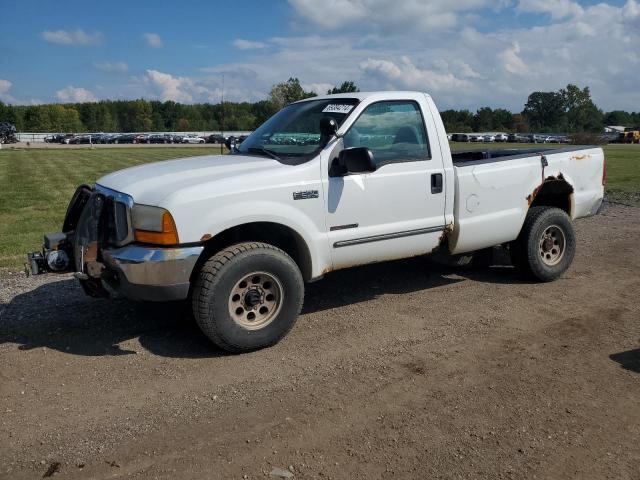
495	188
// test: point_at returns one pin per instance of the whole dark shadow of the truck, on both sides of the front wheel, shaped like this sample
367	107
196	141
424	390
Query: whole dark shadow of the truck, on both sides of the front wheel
59	316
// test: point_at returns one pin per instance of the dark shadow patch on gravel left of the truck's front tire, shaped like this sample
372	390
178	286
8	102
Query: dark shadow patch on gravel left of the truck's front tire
59	316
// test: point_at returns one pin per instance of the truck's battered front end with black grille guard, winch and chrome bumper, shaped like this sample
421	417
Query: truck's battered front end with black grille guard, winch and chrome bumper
98	242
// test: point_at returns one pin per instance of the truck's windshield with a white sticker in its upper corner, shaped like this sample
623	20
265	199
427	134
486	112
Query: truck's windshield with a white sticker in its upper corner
292	135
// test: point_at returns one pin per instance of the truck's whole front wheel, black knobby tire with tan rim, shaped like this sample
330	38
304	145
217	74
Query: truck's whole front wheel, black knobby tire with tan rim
273	293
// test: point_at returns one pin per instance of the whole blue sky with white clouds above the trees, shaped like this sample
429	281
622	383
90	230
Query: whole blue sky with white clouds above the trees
465	53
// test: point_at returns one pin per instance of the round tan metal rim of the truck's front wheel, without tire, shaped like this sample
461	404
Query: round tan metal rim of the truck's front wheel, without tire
255	300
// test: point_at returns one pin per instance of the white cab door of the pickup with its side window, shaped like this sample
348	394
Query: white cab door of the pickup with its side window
397	210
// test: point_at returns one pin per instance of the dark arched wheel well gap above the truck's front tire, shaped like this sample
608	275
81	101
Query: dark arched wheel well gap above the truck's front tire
275	234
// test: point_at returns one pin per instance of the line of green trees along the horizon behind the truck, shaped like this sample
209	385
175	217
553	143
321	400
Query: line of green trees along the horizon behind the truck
569	110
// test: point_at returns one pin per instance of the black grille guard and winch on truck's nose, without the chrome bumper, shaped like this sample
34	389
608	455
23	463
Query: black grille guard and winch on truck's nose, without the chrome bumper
95	219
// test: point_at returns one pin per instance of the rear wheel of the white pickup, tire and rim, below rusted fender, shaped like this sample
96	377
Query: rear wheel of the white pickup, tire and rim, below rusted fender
546	245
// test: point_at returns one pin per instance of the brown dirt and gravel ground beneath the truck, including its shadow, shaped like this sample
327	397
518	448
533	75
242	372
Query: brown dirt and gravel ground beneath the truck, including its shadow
400	370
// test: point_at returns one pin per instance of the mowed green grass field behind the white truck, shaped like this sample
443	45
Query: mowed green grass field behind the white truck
36	184
